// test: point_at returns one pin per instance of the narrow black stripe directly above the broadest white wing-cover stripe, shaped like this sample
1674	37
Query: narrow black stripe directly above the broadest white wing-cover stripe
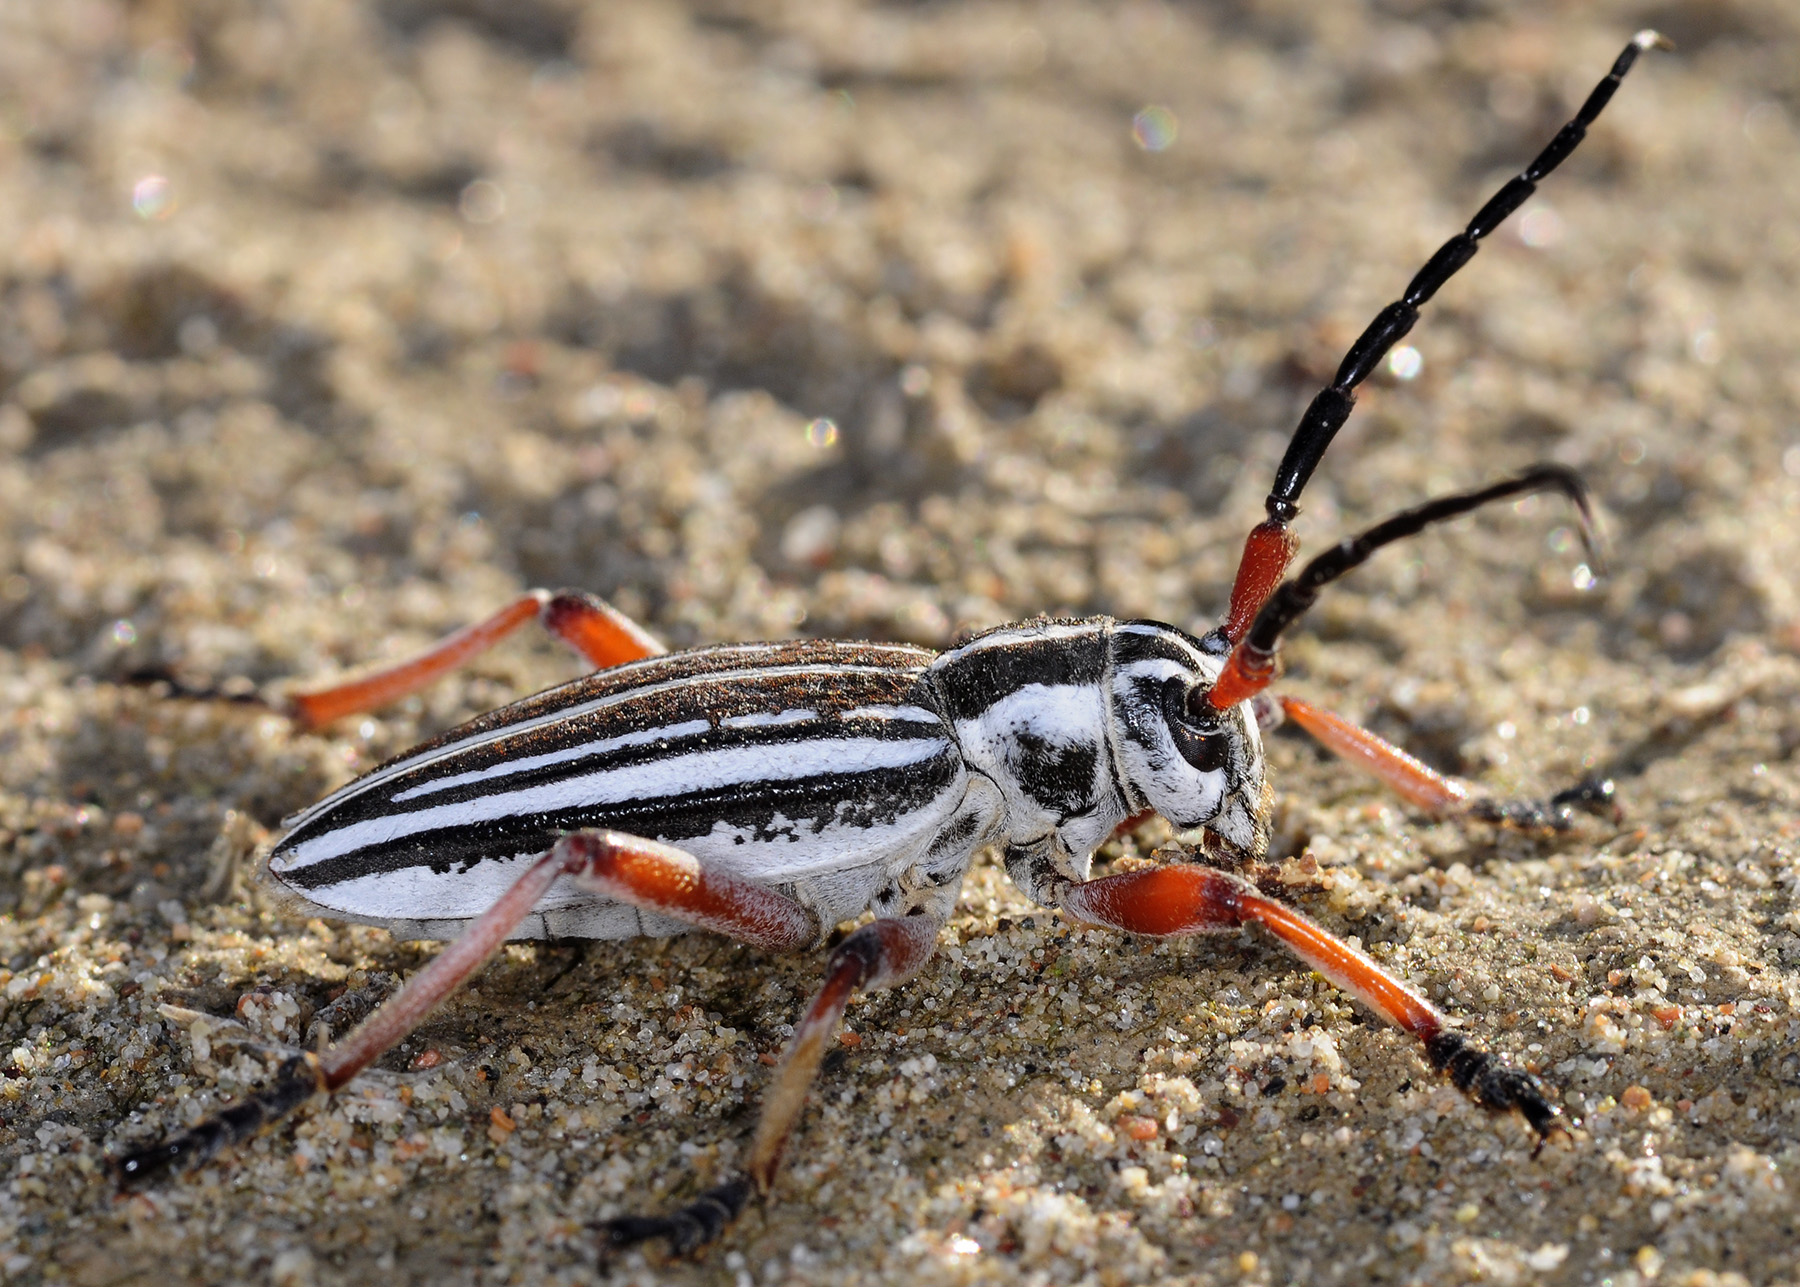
382	800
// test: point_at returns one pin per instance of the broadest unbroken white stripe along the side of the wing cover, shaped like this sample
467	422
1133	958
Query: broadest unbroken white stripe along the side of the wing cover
638	784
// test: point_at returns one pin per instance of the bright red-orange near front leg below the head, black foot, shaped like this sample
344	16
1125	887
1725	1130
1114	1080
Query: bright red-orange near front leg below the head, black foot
1196	901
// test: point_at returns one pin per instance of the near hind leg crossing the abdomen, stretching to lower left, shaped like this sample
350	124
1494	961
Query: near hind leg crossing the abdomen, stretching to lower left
642	872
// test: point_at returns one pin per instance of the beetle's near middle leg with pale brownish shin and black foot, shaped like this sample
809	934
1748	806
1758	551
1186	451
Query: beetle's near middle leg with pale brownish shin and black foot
881	955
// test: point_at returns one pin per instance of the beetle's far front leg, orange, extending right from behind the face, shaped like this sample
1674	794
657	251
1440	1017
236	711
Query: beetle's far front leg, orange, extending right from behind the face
1441	795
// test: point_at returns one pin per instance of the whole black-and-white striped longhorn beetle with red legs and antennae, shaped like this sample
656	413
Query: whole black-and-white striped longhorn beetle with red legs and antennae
773	791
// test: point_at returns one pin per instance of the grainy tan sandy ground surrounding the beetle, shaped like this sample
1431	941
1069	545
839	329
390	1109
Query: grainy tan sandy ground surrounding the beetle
328	327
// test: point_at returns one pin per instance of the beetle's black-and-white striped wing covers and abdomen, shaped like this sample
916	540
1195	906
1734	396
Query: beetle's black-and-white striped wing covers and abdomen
773	762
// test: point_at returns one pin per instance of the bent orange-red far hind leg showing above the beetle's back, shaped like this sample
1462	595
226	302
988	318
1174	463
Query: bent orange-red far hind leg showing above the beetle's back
593	627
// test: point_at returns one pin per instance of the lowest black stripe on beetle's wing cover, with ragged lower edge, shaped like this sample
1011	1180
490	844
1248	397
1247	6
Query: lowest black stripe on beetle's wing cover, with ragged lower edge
768	811
